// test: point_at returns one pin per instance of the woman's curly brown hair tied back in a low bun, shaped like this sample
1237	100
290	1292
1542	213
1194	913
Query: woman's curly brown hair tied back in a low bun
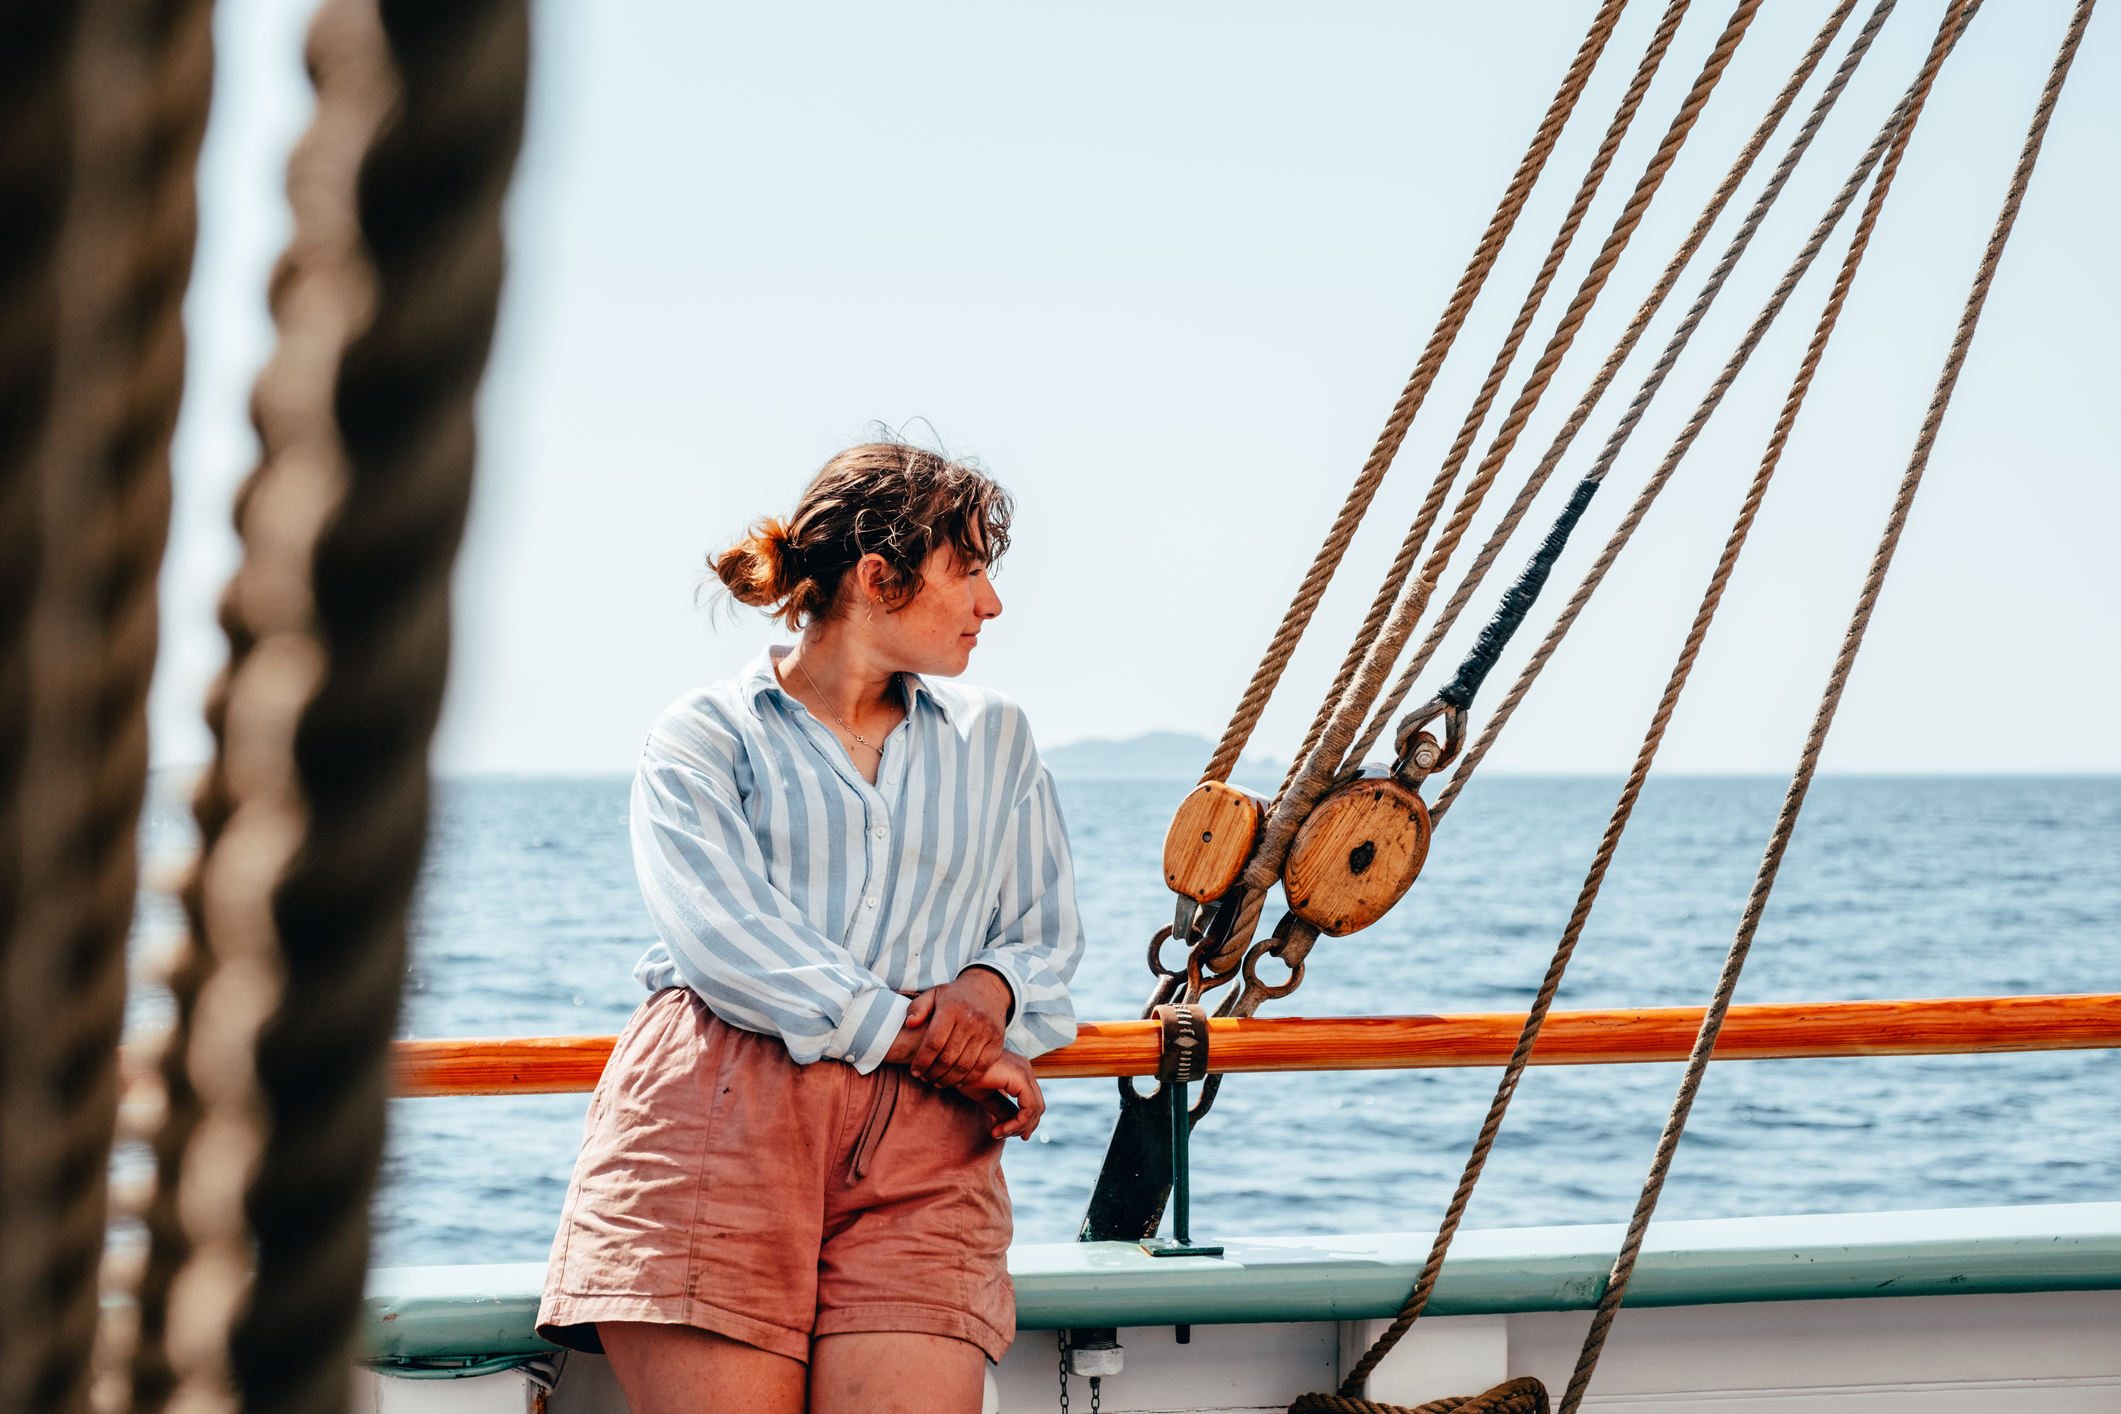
881	499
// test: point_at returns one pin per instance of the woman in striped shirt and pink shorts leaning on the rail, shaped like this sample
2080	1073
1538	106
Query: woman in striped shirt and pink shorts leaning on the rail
790	1190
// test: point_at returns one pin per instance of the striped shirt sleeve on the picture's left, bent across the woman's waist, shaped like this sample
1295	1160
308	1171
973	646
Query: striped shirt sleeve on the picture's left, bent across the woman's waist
726	932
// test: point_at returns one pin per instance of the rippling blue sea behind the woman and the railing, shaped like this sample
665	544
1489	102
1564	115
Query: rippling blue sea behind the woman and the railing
529	923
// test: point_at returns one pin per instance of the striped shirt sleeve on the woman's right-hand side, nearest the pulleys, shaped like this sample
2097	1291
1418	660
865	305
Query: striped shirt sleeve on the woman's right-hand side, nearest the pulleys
1036	938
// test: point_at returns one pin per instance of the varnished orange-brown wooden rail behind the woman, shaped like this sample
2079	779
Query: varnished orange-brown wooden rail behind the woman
1783	1031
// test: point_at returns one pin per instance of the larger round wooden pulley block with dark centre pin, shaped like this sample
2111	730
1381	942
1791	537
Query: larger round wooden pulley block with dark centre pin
1359	853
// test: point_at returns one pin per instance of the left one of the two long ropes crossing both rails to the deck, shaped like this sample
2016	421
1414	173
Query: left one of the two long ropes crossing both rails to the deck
1677	684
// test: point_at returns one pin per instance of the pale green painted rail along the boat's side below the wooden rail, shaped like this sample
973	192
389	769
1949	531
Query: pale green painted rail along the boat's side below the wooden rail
466	1311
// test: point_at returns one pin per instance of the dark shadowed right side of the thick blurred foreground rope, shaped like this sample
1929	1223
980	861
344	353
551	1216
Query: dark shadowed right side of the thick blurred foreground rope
430	202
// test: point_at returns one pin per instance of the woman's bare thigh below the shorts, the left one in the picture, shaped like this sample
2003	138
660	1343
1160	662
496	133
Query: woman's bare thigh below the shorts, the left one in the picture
684	1371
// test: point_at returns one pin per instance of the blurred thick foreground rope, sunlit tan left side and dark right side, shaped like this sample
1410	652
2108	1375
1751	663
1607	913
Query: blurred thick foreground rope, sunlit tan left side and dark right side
315	811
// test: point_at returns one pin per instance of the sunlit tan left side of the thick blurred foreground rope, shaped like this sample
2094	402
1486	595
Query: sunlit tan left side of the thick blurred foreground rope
251	807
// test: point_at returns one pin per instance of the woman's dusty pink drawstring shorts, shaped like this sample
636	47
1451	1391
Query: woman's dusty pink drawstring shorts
726	1188
